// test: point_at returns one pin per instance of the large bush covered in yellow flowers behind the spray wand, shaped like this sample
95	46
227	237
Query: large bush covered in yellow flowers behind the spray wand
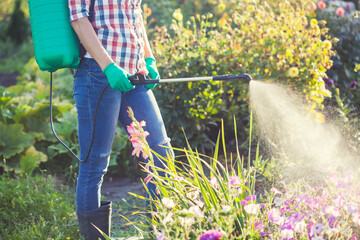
271	40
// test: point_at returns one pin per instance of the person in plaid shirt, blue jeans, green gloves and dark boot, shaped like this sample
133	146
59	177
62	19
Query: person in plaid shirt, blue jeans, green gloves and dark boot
117	47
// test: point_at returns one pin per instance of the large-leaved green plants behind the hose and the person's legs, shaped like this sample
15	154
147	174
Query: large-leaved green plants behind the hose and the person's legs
27	140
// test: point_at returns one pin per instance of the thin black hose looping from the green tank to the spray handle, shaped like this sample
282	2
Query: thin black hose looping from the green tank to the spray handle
93	130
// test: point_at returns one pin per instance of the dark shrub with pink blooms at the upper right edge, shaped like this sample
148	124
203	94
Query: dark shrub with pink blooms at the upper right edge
343	75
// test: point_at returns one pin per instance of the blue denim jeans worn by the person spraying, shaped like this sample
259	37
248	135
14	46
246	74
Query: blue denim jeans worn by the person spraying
89	82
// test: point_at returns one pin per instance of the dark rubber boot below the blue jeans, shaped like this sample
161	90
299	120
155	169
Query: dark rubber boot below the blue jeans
100	217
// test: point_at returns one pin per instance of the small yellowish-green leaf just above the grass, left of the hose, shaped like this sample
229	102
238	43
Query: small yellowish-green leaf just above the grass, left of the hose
31	159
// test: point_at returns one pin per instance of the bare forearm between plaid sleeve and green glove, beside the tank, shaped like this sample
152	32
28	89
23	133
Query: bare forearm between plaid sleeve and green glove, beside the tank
88	38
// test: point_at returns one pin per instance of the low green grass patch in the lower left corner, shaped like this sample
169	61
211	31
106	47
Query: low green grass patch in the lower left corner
31	208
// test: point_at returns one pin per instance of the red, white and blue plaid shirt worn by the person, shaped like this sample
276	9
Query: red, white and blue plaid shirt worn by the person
118	25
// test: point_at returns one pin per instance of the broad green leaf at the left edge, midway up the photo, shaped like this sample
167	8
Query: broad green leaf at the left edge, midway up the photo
13	139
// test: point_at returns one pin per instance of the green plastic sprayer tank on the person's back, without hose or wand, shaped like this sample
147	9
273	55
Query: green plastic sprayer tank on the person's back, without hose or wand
55	43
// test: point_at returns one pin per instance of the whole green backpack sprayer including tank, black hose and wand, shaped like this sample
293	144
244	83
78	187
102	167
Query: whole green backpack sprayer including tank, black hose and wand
56	46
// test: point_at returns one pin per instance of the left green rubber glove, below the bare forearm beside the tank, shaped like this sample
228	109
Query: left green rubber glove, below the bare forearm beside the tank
118	78
